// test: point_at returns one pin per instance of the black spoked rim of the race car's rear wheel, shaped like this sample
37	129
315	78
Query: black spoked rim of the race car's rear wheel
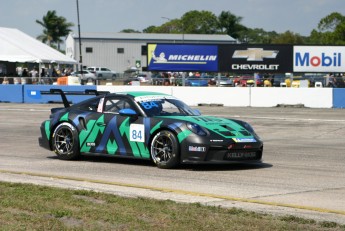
64	141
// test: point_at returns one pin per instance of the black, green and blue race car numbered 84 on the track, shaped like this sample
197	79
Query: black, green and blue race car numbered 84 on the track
146	125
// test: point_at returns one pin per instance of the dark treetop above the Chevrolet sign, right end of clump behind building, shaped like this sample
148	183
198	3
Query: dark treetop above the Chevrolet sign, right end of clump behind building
231	24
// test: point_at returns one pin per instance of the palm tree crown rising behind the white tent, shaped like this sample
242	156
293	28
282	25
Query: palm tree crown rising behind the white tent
54	27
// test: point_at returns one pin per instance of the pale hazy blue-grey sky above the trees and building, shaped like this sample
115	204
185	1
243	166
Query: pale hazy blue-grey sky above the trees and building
298	16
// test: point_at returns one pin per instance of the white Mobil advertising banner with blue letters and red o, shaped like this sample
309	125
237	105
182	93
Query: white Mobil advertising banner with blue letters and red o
319	59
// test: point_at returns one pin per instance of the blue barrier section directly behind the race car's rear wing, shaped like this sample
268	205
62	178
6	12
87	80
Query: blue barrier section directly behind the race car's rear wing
32	93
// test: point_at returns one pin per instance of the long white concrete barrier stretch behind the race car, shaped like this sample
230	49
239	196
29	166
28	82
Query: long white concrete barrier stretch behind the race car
241	96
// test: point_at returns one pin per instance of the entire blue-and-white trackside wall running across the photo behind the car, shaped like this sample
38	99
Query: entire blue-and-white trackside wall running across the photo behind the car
193	96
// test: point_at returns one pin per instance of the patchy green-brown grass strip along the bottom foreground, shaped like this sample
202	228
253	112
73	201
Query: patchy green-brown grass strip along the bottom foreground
31	207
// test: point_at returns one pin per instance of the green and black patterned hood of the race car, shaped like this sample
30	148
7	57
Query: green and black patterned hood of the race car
226	128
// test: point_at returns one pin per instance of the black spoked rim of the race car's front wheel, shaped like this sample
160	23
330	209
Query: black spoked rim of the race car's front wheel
162	149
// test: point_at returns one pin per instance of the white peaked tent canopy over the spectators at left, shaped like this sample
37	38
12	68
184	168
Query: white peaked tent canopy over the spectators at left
16	46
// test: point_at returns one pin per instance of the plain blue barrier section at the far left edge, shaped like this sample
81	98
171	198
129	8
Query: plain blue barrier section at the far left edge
11	93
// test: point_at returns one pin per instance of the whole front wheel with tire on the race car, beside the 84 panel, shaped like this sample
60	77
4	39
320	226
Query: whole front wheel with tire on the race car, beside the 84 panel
165	150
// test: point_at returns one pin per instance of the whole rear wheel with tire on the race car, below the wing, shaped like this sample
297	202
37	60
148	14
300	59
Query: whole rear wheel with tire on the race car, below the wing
66	142
